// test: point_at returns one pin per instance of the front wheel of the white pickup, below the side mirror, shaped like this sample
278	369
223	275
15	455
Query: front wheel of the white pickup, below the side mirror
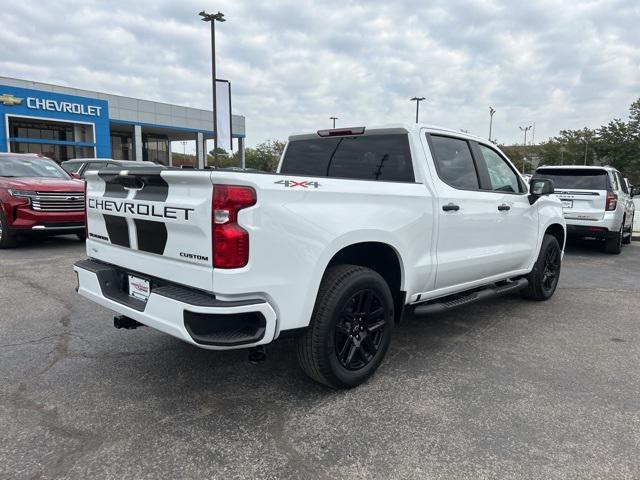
544	277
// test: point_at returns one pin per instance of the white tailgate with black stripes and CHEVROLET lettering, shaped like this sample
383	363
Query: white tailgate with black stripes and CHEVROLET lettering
153	221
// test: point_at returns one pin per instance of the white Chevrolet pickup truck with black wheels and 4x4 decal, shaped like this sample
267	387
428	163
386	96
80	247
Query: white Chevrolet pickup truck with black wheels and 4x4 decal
356	225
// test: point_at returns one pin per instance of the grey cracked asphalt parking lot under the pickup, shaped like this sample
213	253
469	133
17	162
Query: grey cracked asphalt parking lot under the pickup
503	389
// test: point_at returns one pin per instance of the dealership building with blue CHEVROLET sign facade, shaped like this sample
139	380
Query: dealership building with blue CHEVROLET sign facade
64	123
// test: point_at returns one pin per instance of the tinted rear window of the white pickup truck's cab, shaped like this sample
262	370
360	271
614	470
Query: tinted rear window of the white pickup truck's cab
369	157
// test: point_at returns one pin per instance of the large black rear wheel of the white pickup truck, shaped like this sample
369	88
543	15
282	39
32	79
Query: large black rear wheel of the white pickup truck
350	327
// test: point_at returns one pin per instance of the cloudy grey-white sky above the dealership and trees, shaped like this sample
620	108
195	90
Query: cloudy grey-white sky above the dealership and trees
295	63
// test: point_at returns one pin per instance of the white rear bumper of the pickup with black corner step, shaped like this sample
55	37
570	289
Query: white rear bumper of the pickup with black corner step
184	313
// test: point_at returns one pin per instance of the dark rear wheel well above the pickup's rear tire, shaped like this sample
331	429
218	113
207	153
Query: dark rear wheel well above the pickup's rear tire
383	259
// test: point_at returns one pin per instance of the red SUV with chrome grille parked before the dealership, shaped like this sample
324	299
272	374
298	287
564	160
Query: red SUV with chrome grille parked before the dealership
37	195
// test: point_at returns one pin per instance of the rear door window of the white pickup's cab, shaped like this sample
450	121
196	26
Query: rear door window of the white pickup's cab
454	162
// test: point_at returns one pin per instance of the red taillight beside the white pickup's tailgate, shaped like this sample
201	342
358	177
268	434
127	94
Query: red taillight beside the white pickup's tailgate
230	240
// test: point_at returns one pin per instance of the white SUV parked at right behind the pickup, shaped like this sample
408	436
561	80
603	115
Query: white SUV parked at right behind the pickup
596	202
